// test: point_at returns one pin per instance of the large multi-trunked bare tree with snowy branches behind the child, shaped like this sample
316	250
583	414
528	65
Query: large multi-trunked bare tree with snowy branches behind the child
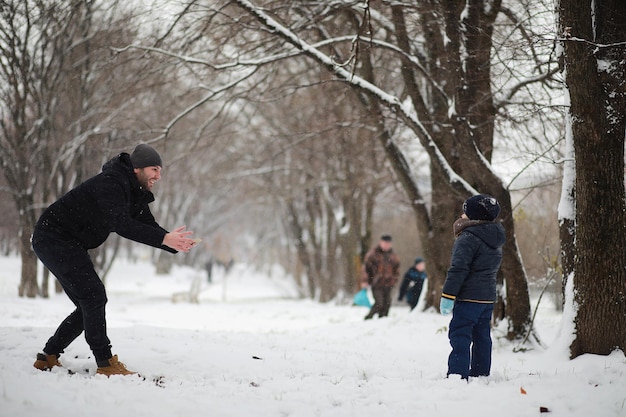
429	73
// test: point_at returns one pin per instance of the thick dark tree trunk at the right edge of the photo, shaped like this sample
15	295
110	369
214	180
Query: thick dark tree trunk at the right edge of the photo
595	73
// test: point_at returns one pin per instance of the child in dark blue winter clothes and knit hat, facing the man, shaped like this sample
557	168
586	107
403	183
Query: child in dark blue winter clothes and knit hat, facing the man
469	291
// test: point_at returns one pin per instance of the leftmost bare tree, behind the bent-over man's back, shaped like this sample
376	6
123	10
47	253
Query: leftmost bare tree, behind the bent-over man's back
35	39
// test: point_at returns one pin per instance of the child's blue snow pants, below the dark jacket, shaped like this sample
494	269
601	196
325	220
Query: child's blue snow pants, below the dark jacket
470	338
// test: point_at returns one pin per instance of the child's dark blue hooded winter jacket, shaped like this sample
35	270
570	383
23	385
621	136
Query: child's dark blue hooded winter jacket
475	260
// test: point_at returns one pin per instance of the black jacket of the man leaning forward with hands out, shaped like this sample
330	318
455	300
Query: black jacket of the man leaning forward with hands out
112	201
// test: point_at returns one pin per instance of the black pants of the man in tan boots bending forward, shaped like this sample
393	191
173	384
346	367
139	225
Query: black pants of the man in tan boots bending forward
72	266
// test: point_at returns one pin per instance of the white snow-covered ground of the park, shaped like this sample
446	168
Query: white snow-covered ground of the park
250	348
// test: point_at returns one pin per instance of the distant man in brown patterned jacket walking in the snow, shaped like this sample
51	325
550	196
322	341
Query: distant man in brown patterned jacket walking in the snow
381	269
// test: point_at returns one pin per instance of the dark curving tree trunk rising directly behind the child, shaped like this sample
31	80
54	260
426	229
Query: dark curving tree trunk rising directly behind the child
470	26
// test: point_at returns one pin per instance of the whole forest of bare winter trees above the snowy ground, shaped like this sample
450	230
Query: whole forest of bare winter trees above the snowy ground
295	132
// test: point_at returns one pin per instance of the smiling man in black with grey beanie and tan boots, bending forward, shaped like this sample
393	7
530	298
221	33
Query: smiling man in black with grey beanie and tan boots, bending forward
116	200
